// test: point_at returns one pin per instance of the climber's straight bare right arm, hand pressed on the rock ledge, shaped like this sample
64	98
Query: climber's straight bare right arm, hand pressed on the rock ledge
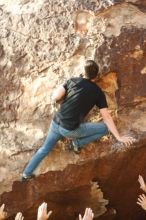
113	129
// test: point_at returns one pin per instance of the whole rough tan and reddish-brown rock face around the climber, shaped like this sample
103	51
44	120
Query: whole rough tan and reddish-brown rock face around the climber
43	43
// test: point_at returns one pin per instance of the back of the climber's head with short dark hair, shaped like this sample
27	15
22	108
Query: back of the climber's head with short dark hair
91	69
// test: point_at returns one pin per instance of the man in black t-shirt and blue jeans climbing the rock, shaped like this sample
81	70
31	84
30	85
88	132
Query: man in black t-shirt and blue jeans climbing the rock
78	96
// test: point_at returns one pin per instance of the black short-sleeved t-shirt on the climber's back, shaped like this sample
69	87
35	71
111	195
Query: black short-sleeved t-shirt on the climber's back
81	95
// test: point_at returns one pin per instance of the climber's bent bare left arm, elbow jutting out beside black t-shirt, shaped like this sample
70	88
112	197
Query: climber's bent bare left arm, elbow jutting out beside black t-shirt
58	94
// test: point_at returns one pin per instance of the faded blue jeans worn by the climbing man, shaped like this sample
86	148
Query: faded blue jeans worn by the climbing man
82	135
